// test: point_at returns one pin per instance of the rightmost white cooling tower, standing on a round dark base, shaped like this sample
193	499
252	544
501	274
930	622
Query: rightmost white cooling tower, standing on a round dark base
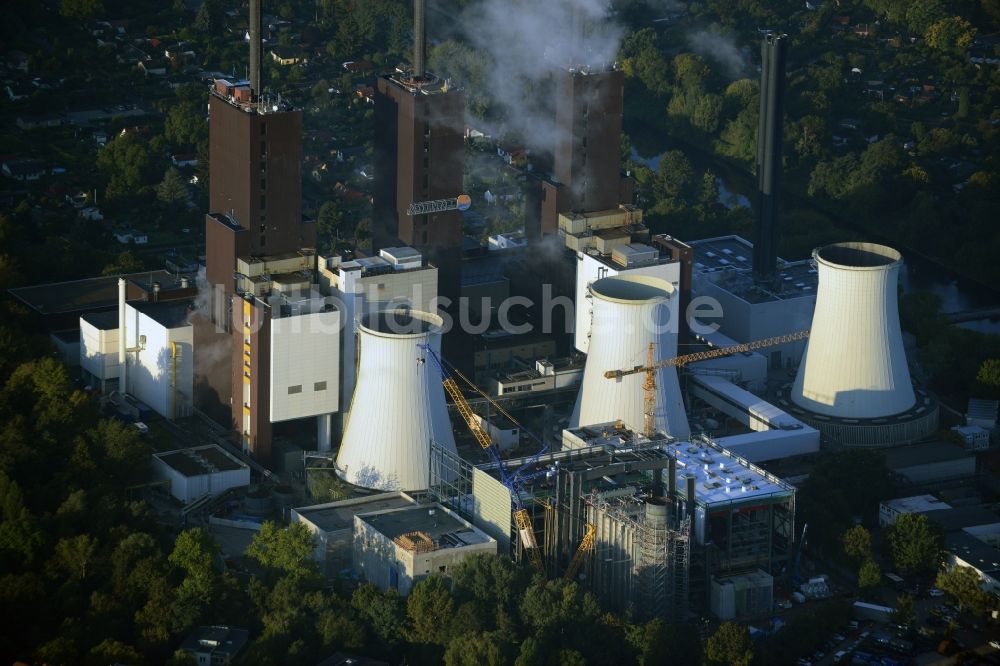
854	365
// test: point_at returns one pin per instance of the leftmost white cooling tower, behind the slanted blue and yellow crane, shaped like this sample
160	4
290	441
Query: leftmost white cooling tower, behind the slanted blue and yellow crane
398	404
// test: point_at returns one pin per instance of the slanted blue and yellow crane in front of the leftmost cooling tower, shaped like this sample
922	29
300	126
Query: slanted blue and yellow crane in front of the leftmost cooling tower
513	481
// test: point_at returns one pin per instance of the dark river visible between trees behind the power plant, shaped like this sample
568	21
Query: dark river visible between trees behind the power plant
957	294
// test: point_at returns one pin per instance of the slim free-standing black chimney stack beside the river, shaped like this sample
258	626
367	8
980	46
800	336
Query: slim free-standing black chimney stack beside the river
773	52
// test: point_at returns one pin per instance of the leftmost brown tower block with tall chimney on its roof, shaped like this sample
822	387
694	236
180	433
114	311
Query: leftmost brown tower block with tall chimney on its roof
255	208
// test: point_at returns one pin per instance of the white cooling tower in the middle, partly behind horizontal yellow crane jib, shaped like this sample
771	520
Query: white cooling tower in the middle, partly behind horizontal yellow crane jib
629	313
